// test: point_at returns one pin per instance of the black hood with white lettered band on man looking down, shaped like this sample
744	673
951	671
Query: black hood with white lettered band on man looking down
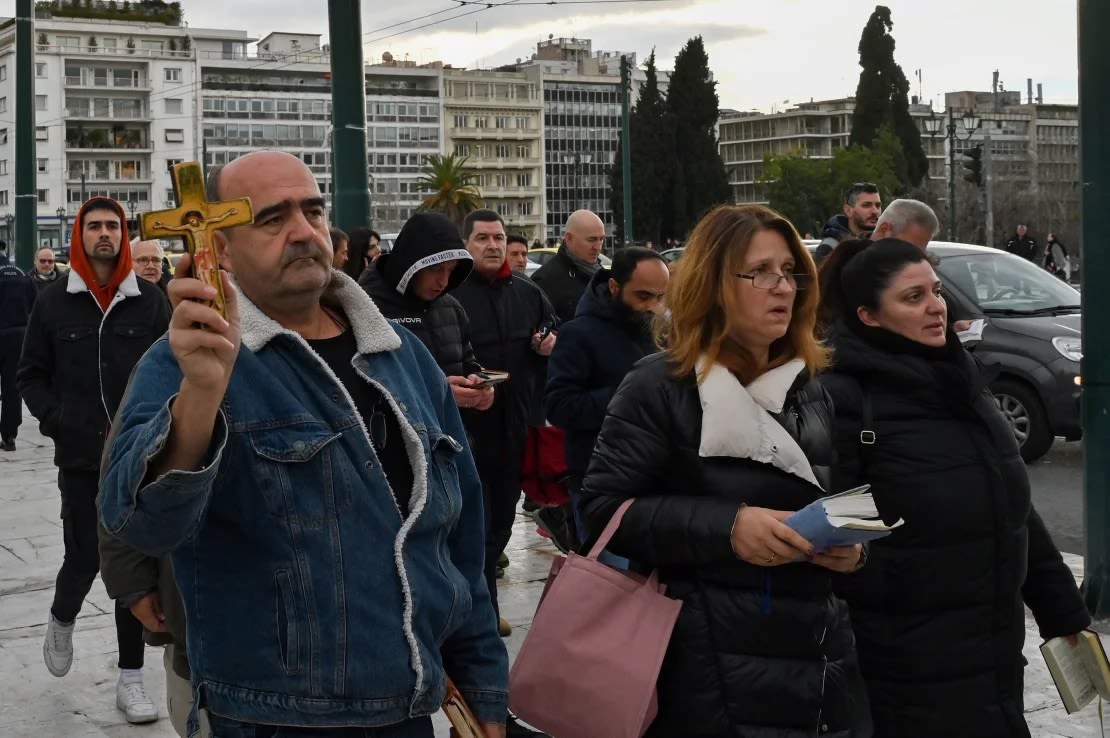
427	240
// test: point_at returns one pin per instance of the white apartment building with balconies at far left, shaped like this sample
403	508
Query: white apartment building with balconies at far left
113	103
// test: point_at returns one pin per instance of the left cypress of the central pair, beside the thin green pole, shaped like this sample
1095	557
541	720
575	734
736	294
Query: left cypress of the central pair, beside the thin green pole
652	158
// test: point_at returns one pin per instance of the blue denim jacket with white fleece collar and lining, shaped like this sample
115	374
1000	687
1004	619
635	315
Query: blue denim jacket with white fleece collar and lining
309	600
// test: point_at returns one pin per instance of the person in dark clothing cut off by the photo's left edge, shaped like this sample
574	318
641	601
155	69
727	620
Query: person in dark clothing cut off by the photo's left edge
17	297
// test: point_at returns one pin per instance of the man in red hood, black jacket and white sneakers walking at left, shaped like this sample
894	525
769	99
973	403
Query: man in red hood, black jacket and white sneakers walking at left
86	335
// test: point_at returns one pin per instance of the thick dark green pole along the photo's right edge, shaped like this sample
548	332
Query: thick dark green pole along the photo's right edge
1095	178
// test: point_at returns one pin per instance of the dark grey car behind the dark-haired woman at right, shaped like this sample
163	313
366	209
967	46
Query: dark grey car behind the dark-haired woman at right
1033	336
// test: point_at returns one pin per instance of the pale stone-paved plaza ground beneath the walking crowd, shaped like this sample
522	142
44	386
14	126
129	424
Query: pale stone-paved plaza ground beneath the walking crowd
83	705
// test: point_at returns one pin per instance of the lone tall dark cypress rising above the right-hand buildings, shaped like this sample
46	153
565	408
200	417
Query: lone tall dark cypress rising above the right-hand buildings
883	98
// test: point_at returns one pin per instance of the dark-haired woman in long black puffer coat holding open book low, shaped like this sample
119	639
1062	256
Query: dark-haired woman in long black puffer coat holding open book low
939	612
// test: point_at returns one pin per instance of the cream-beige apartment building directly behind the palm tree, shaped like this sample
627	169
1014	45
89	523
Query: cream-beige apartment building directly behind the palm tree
496	119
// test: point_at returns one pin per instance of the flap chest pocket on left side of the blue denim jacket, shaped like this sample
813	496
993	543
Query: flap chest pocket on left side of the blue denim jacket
296	472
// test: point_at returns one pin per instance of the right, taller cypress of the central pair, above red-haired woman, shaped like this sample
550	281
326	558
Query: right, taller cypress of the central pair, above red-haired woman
698	179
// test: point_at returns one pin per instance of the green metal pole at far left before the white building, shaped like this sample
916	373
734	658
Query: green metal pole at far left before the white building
27	200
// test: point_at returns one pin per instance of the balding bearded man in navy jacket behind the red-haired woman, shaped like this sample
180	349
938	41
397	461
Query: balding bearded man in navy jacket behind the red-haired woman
611	331
